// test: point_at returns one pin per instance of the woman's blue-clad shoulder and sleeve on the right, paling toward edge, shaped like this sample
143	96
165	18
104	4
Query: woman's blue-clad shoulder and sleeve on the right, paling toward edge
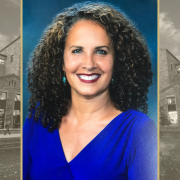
142	143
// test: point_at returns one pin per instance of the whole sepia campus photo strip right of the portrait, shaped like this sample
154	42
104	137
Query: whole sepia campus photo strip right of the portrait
169	89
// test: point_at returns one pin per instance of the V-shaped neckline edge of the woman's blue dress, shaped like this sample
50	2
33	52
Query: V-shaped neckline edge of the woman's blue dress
85	147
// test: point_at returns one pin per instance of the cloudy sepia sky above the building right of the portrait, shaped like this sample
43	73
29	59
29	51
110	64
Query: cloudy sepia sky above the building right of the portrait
169	26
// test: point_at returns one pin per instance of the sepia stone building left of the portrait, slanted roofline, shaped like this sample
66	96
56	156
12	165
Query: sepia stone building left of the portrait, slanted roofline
10	58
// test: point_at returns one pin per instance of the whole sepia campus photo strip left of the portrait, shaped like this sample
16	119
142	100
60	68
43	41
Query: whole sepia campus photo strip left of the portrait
10	94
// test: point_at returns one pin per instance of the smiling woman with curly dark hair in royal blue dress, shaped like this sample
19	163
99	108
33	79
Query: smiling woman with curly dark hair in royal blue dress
89	76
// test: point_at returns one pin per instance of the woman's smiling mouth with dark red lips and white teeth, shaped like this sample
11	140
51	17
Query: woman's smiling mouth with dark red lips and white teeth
88	78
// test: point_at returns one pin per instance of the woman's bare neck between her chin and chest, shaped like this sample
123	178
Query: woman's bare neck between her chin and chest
83	109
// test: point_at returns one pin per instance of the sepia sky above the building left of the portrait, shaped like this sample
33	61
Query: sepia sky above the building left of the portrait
9	21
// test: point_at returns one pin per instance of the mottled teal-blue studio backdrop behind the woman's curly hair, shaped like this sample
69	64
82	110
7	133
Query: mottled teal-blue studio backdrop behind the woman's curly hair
38	14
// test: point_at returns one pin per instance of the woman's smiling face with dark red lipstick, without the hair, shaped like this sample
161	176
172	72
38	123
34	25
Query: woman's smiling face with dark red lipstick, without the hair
88	59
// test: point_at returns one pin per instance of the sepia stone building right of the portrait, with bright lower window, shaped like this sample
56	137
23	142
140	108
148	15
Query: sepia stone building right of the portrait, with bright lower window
169	87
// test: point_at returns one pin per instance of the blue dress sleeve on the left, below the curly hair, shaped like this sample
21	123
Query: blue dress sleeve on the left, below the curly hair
27	137
